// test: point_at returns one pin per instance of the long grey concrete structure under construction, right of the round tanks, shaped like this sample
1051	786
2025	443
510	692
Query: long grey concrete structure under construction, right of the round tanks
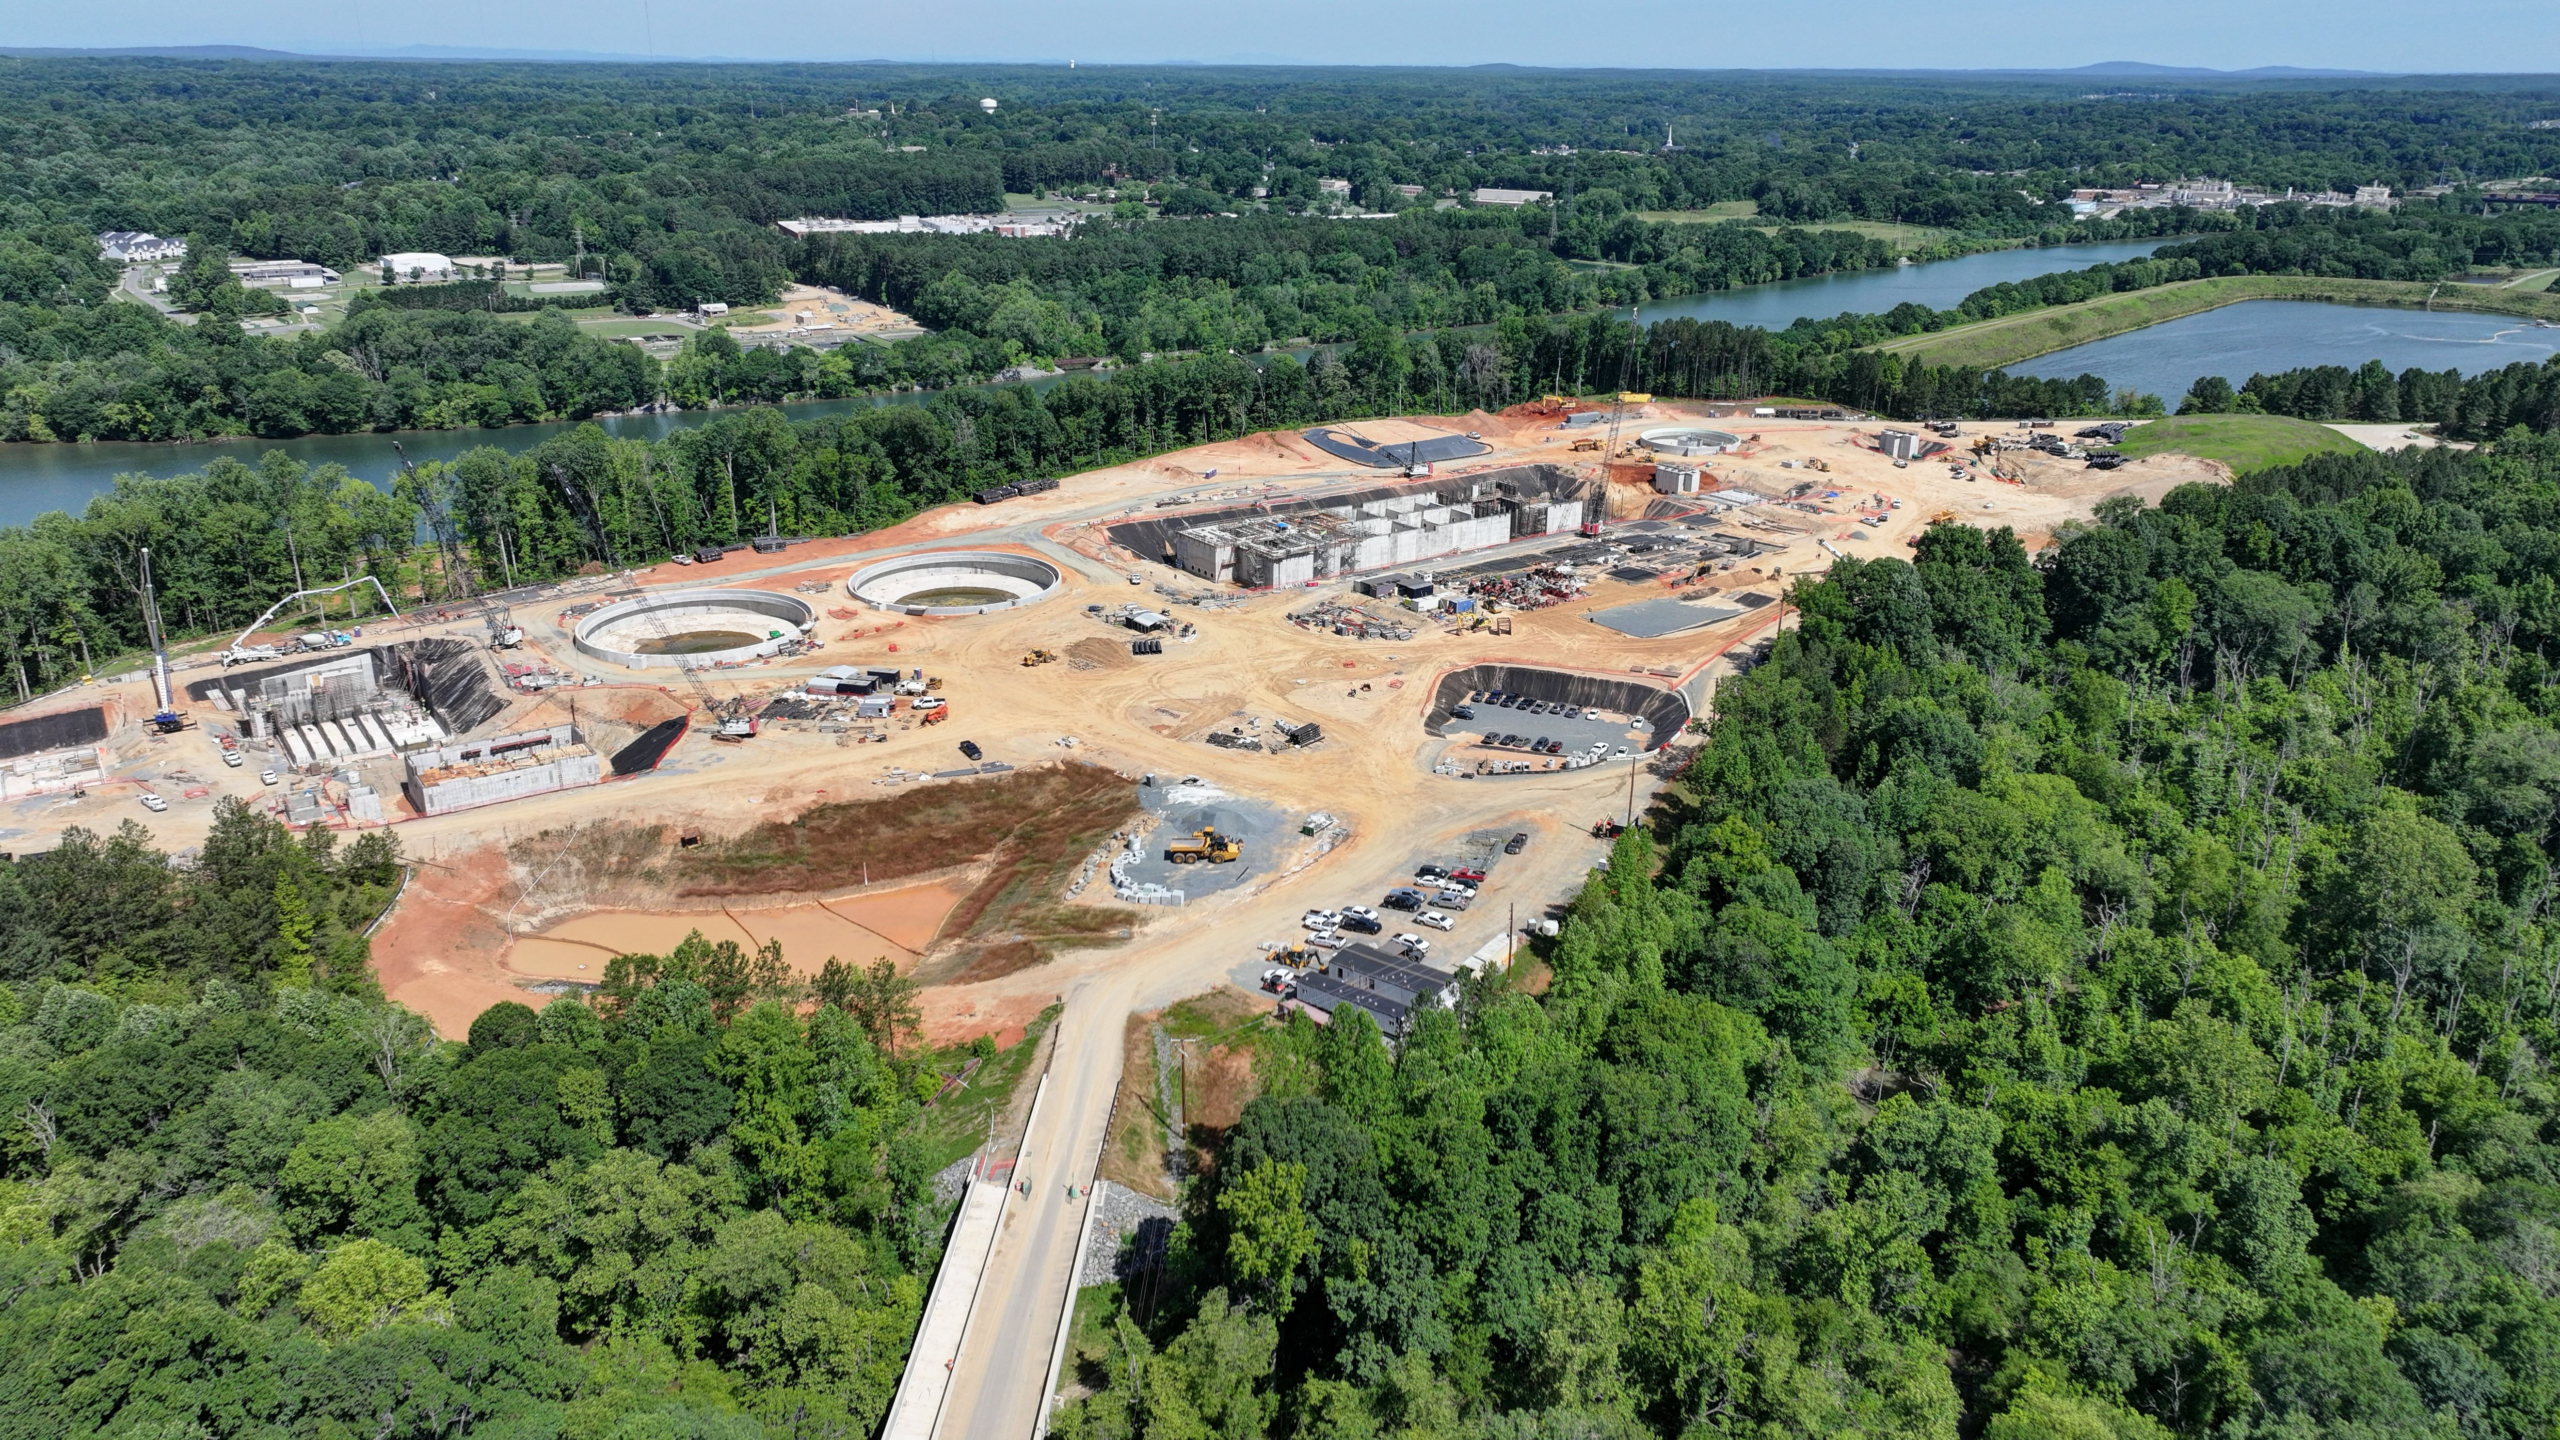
1263	552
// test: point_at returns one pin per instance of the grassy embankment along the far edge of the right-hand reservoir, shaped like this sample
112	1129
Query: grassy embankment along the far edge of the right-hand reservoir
2029	334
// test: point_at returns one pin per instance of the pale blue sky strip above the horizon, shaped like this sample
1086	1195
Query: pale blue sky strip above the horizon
1699	35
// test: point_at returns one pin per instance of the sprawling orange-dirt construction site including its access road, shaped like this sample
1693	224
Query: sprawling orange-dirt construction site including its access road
1094	747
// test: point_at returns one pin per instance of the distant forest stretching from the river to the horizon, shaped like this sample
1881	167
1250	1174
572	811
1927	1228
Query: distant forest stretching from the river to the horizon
667	181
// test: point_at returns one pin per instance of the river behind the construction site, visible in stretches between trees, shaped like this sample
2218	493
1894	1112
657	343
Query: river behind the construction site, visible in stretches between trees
65	478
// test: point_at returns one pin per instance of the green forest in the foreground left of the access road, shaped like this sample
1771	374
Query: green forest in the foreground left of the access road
242	1195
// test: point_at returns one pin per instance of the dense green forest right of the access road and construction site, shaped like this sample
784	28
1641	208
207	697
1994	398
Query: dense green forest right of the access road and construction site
2095	995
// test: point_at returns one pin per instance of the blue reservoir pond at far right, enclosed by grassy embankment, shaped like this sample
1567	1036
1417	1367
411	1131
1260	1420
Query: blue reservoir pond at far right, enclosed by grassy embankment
2267	337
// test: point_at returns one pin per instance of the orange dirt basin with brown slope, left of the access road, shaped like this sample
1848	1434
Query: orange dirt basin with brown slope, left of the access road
966	883
